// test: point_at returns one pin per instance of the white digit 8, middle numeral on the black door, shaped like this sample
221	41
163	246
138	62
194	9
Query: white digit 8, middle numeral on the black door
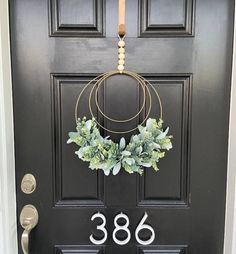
119	228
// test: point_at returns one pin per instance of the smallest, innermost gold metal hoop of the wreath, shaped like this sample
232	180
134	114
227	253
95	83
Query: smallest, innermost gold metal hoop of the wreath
99	82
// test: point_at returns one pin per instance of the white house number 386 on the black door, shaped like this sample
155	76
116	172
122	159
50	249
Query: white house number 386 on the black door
125	227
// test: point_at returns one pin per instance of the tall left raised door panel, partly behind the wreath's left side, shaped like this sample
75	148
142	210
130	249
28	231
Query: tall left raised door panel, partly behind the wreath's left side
74	183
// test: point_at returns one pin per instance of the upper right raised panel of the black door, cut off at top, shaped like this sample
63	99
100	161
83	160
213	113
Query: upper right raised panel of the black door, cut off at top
160	18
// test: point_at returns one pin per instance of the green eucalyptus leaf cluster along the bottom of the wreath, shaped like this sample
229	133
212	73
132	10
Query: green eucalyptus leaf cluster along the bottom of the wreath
143	151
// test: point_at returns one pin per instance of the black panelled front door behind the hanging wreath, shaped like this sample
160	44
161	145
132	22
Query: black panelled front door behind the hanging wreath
184	48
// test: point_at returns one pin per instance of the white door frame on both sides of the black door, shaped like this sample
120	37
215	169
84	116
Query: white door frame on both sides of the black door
8	221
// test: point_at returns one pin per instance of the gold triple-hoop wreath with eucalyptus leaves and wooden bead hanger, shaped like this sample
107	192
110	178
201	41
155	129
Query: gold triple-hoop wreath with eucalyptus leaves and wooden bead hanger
145	148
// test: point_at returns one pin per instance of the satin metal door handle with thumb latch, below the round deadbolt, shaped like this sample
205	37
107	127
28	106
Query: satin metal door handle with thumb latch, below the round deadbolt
28	219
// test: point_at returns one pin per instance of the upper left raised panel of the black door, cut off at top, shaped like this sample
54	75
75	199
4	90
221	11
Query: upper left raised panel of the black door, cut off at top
76	18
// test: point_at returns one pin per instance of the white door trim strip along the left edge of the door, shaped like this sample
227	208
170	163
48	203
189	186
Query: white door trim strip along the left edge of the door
8	232
